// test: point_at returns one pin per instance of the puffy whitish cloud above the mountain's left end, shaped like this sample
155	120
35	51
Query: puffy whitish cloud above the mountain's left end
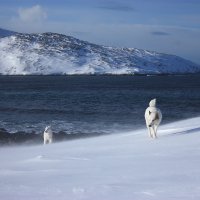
33	14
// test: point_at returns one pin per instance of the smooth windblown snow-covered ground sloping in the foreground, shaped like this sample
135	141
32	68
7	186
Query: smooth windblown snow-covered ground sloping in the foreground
126	166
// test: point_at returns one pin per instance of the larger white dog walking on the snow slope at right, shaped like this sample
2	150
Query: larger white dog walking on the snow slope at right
153	117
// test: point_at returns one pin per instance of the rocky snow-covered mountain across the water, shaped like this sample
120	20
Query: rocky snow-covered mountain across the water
52	53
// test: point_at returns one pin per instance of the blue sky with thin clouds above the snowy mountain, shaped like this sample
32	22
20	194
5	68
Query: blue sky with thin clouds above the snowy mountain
165	26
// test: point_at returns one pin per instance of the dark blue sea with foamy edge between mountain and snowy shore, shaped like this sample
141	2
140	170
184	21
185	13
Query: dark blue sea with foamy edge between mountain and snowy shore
93	104
